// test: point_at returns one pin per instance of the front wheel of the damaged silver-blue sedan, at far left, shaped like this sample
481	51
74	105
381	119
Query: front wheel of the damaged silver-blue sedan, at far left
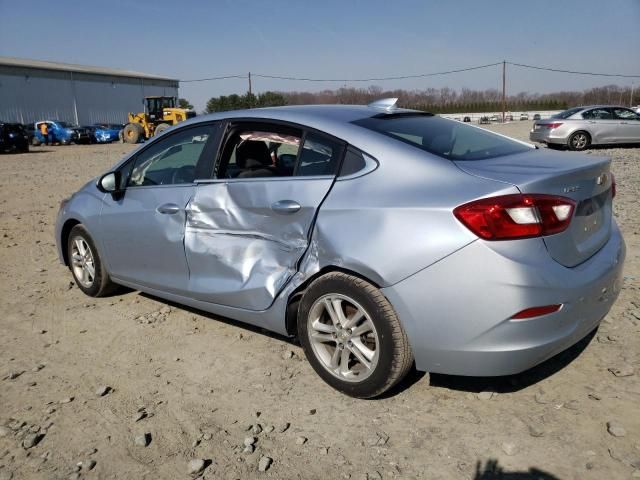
86	265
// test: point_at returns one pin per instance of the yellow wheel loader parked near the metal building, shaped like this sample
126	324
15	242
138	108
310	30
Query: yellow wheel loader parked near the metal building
160	113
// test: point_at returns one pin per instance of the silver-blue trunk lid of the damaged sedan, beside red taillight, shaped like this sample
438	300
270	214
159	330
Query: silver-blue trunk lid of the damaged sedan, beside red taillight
586	179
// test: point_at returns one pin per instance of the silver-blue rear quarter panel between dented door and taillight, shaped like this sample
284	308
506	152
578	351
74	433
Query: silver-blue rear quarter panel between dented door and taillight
398	219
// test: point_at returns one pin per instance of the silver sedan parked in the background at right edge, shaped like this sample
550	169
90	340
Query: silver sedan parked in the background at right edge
579	128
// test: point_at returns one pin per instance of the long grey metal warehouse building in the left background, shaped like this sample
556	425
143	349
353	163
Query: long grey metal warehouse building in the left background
33	90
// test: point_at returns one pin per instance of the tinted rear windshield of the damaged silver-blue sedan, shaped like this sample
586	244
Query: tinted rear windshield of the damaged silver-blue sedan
445	138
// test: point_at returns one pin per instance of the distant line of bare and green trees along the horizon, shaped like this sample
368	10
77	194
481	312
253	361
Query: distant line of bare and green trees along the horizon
436	100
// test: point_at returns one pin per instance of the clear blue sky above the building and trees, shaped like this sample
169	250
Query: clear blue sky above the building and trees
331	38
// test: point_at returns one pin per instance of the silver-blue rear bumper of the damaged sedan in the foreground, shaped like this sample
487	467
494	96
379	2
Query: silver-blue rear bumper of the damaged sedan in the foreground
457	312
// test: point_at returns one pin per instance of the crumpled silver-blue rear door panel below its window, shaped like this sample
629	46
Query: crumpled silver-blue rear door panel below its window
244	237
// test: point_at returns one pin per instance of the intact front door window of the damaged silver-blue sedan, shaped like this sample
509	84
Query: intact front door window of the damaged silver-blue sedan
171	160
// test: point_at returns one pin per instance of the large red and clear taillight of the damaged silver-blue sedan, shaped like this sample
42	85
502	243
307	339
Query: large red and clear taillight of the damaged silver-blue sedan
509	217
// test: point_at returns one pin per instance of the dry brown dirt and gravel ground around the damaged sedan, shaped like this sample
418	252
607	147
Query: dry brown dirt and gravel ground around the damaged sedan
197	385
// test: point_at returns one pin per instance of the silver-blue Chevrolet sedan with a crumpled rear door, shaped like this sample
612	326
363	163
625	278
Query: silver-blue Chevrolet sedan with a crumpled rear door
367	231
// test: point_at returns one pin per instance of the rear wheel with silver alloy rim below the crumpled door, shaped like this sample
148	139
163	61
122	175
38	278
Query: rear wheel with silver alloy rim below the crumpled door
352	336
